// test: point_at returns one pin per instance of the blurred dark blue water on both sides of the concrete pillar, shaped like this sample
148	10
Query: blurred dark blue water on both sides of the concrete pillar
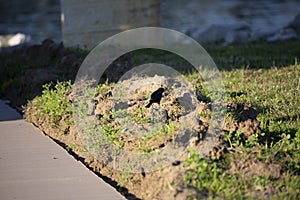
229	21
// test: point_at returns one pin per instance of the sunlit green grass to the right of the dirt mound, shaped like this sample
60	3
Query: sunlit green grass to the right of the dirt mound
275	93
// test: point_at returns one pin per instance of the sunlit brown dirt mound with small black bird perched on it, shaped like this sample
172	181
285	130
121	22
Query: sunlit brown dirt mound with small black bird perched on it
175	105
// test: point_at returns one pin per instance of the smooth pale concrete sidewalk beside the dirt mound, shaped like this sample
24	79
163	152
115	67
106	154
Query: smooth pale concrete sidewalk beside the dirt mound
32	166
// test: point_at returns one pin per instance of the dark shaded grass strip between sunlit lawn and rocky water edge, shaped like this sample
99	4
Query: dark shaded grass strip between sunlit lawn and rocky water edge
255	56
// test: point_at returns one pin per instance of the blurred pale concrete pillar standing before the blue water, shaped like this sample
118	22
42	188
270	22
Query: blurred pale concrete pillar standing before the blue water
85	23
